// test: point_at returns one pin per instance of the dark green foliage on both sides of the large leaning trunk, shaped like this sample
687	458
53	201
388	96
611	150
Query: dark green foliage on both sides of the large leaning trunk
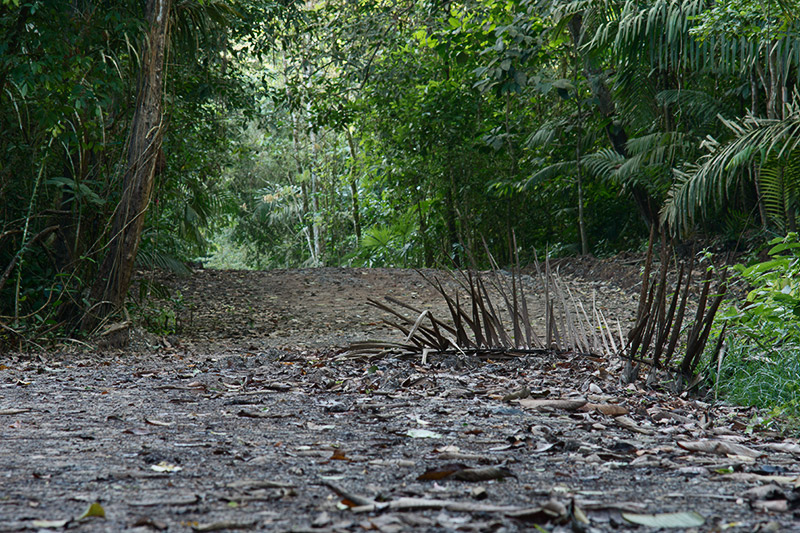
68	81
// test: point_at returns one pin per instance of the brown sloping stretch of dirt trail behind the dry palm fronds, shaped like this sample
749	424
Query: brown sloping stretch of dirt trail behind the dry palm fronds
327	307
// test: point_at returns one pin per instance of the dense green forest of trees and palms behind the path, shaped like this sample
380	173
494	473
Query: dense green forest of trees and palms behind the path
277	134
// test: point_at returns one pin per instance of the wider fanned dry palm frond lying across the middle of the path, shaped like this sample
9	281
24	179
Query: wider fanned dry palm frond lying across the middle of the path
489	316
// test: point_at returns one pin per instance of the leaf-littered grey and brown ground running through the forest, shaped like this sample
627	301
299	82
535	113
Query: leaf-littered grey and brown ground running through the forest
236	405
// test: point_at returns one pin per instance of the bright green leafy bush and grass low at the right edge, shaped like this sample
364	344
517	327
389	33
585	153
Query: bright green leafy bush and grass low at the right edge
762	362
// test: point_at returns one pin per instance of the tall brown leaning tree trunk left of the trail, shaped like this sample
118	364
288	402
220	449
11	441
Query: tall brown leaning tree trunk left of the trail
114	277
